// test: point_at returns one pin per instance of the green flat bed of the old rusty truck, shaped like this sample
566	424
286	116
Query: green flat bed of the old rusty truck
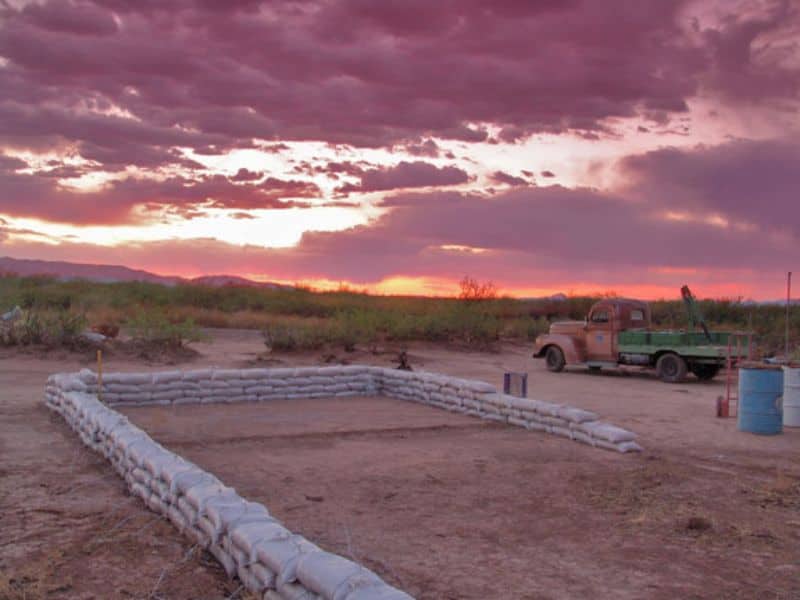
684	343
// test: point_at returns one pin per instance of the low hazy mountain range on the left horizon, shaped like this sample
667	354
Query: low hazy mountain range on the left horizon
66	271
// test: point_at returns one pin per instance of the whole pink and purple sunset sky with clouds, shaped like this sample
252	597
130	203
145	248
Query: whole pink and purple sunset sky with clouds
548	146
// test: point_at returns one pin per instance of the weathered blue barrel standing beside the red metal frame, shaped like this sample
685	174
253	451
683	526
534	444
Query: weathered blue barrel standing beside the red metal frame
760	400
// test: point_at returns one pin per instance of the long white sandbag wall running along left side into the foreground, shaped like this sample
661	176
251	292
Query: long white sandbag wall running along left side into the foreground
248	542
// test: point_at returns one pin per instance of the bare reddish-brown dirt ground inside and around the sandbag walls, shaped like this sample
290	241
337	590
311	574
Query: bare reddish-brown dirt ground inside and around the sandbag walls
442	505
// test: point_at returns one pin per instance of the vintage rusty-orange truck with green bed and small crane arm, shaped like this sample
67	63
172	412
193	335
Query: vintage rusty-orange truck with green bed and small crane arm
618	332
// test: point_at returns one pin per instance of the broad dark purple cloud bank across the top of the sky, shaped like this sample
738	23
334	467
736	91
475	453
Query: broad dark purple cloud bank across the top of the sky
212	76
